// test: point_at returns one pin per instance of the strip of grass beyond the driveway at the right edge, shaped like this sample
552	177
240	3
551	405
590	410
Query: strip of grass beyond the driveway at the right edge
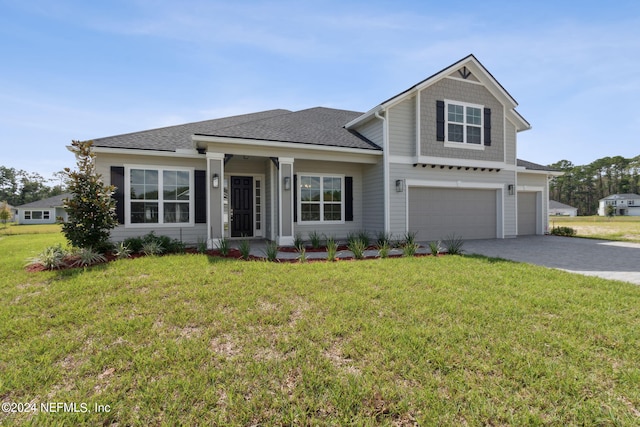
622	228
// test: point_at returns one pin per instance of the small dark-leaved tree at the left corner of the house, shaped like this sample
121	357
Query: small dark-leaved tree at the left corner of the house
91	209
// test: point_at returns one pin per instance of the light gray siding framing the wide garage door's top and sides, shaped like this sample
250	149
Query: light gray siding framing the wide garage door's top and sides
446	176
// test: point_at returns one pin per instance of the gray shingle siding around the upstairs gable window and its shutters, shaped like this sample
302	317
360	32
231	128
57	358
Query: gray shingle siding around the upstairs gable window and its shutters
457	90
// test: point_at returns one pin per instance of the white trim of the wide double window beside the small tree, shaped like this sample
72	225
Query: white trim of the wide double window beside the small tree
160	223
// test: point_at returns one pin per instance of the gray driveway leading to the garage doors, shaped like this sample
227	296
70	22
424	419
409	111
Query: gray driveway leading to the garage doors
602	258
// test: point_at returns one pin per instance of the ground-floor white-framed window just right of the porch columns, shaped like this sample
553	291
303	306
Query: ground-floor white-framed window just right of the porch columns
321	198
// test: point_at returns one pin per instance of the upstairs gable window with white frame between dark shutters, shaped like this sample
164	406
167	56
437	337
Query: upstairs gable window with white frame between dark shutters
464	123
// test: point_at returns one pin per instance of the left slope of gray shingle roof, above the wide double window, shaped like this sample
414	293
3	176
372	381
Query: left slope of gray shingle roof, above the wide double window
171	138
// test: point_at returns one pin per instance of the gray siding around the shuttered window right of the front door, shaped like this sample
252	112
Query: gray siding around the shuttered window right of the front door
339	230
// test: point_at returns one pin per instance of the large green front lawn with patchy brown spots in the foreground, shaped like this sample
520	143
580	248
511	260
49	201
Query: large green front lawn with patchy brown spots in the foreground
188	339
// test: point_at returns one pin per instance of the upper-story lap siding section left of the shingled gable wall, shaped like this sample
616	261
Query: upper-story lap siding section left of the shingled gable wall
402	128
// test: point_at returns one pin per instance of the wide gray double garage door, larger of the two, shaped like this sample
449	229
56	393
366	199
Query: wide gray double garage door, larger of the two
435	213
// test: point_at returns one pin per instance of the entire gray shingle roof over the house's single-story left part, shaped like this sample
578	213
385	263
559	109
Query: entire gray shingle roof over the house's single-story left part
317	126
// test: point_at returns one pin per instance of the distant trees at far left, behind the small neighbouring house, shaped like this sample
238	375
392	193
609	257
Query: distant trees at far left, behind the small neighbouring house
18	187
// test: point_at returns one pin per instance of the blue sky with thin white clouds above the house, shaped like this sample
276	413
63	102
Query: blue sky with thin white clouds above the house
85	69
